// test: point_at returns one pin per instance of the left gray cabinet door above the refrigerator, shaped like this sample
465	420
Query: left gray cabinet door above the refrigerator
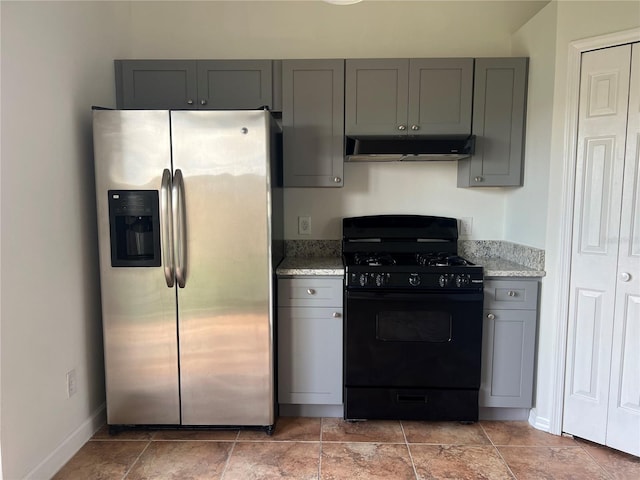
156	84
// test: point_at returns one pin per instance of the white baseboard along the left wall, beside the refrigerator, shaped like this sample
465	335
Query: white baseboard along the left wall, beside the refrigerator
70	446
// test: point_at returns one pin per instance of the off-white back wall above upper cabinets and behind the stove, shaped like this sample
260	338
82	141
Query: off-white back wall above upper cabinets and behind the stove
369	29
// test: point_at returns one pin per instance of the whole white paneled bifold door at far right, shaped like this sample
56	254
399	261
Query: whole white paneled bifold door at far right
602	378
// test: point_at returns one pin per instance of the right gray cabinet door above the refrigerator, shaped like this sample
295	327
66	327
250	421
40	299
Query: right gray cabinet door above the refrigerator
234	84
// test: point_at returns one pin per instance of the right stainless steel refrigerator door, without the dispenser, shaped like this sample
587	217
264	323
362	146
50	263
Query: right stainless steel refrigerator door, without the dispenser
224	309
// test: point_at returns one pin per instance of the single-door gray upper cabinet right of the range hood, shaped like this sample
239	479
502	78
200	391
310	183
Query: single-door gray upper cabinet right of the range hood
499	110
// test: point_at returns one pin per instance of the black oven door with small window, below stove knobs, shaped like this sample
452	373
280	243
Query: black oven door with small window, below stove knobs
413	340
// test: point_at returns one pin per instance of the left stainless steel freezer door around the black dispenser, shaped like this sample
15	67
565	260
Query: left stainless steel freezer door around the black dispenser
131	149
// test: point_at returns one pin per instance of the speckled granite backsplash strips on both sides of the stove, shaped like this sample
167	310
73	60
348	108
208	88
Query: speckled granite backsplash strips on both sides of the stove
521	254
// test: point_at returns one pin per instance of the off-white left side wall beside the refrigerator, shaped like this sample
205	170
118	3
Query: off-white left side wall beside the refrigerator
57	60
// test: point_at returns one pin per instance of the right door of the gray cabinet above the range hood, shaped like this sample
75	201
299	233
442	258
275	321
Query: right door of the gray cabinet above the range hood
440	96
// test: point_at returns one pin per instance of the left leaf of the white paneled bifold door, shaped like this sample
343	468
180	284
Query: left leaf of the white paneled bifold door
599	171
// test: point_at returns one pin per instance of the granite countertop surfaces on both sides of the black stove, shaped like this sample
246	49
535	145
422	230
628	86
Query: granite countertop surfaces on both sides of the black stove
332	266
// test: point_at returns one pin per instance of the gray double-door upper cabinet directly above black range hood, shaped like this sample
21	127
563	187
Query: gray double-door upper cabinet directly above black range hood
409	96
